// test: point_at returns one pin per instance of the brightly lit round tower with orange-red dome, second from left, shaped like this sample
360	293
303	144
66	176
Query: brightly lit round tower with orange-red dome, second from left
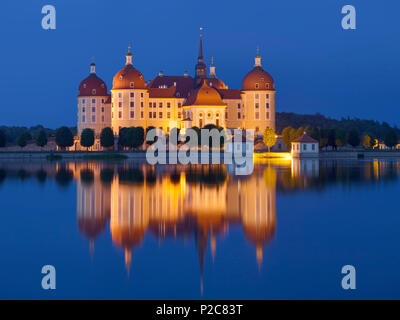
129	95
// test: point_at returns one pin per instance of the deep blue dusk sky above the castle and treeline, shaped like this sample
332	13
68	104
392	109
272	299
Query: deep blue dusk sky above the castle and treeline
317	66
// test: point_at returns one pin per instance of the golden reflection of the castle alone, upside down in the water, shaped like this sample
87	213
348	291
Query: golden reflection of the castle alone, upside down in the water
174	201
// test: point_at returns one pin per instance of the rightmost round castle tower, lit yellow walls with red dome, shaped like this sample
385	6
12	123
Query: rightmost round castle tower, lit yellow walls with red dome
258	93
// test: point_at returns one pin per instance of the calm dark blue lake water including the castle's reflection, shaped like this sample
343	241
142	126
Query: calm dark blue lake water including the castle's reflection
128	230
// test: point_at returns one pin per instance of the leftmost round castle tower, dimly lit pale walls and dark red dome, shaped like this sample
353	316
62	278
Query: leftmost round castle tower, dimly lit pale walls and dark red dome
94	108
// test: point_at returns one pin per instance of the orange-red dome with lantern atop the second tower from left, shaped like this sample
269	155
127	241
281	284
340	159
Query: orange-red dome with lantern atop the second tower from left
129	77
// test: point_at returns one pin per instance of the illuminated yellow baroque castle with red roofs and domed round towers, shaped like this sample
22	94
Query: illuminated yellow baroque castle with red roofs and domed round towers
183	102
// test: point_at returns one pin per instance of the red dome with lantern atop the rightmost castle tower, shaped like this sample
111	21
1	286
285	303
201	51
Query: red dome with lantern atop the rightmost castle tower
258	78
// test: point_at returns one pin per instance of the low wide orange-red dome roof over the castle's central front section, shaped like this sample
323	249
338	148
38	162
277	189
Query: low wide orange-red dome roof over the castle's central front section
204	96
